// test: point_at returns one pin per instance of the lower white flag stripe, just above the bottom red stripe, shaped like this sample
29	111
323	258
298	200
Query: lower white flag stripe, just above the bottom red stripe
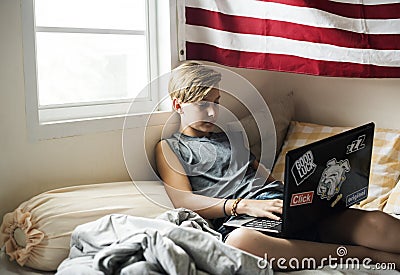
277	45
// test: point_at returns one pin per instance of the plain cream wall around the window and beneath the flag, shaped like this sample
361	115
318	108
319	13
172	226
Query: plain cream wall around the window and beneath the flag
28	168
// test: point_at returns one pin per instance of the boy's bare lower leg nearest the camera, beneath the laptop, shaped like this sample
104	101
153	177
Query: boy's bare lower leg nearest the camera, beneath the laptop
298	251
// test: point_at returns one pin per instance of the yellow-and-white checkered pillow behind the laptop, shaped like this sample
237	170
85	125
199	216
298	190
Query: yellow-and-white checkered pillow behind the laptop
385	167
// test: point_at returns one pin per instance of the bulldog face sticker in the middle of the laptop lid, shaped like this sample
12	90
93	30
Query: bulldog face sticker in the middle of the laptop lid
332	178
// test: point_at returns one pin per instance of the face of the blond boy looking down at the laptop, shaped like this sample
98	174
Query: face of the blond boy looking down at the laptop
198	118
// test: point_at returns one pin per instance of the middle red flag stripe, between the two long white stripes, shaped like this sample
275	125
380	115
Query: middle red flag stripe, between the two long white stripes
248	25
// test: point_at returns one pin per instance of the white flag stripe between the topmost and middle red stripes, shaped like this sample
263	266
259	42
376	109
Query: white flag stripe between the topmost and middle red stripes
298	15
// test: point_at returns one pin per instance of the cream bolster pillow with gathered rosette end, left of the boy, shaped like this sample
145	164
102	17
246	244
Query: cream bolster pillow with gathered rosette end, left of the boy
37	234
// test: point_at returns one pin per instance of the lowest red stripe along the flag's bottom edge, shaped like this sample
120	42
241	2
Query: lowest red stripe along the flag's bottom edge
286	63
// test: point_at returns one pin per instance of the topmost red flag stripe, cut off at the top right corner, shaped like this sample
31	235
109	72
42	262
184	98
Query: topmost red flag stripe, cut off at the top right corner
380	11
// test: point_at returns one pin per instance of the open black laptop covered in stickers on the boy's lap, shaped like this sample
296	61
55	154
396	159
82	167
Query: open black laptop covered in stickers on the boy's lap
321	178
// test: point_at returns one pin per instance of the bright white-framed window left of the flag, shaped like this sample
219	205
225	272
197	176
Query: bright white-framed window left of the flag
91	59
